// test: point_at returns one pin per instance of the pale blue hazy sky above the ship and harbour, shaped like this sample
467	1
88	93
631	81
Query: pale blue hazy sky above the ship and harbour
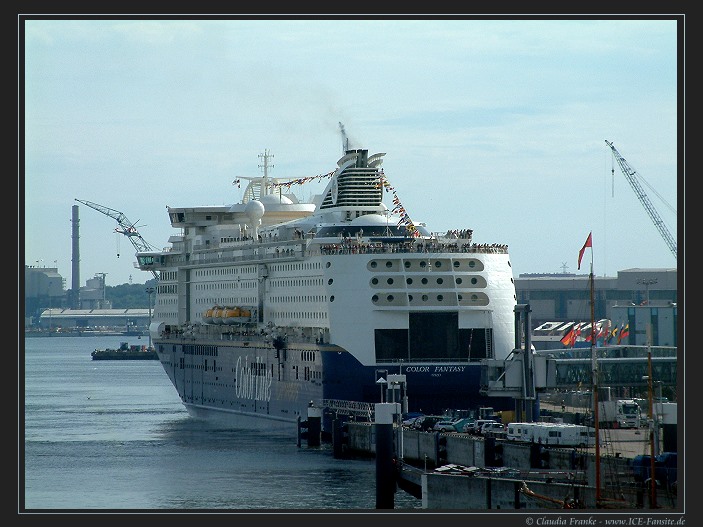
493	124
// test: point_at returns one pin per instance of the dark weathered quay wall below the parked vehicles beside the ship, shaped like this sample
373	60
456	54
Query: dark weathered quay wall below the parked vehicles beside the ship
540	471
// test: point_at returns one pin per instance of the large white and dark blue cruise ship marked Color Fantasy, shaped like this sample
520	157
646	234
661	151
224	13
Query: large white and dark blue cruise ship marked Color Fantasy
270	306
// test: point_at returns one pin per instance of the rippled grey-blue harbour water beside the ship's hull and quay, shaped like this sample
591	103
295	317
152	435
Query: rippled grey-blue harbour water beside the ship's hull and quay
114	436
